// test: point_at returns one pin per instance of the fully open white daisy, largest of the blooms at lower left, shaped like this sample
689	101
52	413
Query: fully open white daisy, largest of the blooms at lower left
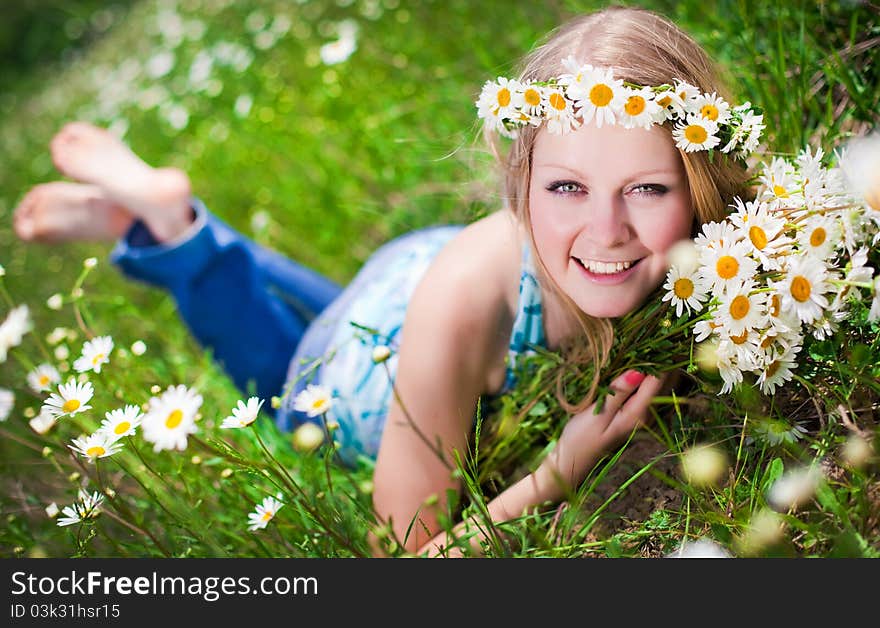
171	418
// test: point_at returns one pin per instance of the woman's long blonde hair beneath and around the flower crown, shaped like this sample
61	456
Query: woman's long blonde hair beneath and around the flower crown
647	49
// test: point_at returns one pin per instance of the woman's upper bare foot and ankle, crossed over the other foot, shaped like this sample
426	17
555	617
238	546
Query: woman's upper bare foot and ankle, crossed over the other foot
158	196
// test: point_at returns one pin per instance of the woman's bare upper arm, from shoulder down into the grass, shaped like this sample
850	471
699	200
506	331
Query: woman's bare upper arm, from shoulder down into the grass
456	331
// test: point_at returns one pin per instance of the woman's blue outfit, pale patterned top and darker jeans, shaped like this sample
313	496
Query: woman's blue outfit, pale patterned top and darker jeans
276	326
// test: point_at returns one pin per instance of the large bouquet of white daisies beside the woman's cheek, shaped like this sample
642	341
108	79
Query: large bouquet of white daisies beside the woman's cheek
793	263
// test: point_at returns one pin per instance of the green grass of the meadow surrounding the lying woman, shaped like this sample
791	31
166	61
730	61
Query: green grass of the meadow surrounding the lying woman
343	158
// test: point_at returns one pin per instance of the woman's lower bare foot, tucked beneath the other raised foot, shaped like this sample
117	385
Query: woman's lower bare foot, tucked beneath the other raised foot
62	211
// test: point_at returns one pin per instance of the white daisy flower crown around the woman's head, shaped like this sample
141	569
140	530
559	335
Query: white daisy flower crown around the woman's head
700	121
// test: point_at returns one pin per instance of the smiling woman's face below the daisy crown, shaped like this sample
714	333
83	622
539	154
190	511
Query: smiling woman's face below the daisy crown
605	205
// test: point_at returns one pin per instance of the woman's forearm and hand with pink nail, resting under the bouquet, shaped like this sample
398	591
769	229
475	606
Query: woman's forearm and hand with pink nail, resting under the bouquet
583	440
